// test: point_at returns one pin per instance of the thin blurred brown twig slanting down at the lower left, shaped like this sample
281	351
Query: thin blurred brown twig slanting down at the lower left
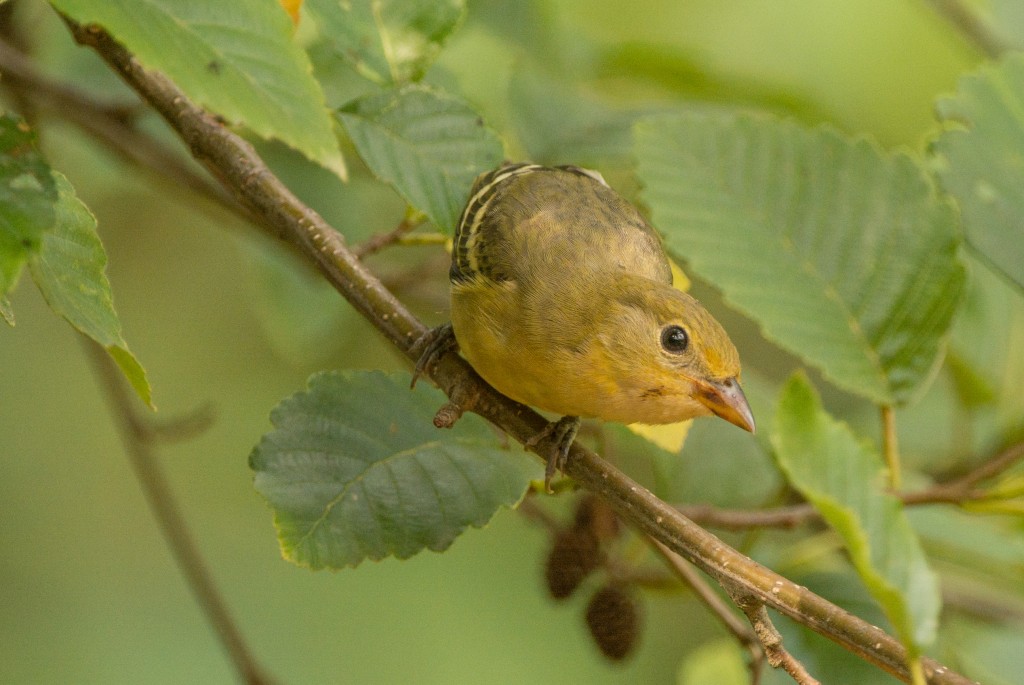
138	439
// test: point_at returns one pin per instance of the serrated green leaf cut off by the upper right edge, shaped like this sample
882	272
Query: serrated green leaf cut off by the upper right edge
982	161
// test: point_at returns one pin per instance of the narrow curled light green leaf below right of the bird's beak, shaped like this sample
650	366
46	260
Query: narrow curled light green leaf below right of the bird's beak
845	481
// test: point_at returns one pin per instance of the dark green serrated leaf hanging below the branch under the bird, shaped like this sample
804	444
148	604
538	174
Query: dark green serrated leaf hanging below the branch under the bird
355	469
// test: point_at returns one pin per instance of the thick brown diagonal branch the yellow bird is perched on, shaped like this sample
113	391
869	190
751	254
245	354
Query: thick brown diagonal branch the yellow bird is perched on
236	164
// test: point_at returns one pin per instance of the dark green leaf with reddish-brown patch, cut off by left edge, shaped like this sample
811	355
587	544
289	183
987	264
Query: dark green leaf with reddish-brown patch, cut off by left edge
28	194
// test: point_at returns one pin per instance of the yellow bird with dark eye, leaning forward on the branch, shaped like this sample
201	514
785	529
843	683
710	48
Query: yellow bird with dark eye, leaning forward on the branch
563	299
